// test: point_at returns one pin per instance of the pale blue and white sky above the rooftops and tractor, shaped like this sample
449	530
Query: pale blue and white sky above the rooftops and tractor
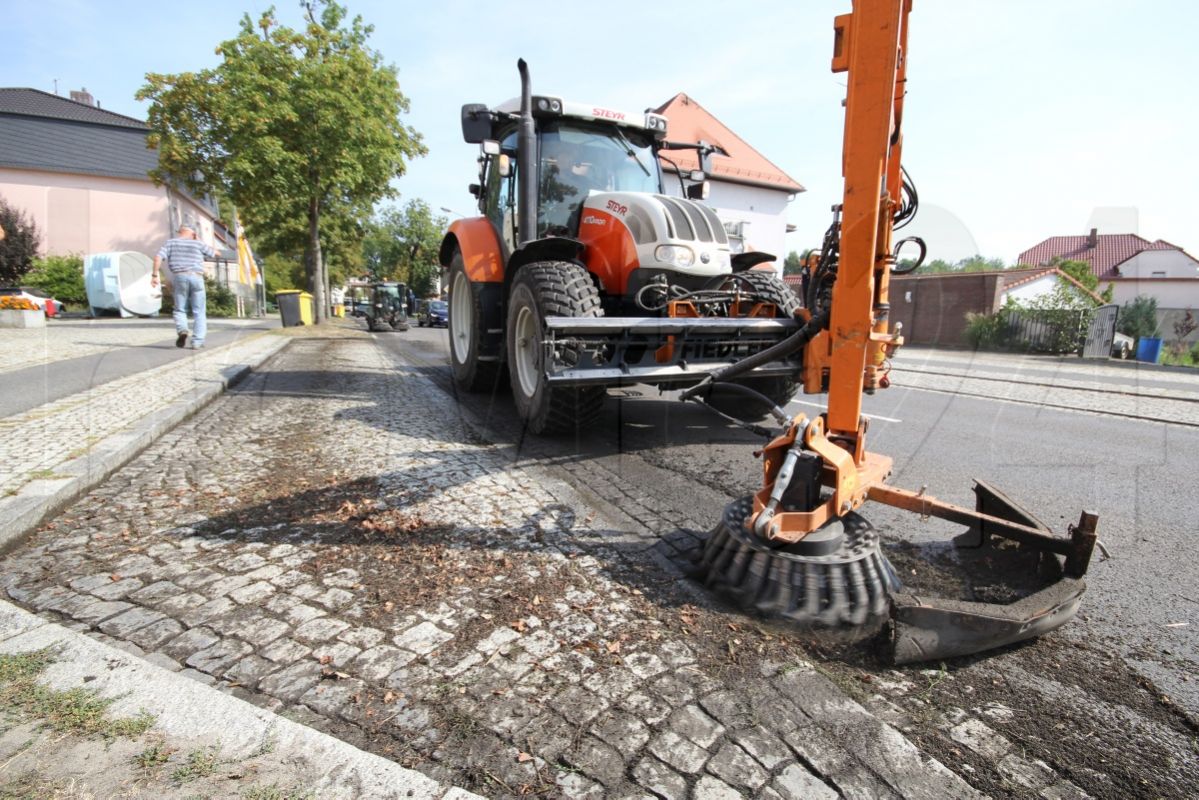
1023	117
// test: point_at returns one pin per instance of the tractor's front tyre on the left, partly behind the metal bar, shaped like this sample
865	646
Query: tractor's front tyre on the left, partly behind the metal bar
549	290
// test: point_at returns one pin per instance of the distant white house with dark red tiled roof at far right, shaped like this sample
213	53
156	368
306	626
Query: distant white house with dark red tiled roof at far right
1132	264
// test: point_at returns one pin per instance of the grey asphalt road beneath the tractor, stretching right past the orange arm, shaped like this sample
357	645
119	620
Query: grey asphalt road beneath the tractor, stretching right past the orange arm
1143	603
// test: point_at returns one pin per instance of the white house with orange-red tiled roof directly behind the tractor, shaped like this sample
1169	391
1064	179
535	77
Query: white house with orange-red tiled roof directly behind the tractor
749	193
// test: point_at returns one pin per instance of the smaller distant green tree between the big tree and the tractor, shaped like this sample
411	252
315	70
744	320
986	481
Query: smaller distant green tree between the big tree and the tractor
403	245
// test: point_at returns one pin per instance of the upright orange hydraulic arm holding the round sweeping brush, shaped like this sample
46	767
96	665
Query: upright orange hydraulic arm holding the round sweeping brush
871	47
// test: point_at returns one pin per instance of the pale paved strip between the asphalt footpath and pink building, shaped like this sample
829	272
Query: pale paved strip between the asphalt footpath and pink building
71	339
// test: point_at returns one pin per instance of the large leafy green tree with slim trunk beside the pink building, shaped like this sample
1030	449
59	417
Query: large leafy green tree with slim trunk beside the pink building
293	125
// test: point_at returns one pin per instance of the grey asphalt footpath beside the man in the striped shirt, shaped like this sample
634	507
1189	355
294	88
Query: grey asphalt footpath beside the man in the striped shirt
33	387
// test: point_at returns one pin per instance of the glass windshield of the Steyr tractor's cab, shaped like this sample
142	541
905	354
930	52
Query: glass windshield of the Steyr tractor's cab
579	159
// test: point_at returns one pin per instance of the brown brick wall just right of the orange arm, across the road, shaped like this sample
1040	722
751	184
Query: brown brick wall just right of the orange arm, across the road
933	308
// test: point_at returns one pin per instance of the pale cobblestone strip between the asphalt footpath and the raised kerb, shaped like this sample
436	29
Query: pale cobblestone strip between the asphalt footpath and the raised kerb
37	444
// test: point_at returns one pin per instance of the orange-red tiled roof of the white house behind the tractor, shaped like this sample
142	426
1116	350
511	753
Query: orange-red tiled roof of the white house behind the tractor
690	122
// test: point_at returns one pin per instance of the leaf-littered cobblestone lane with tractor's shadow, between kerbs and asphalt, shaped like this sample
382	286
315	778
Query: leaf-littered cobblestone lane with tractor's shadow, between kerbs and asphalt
330	543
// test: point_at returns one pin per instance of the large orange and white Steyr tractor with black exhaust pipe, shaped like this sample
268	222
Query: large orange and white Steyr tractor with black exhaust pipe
583	274
